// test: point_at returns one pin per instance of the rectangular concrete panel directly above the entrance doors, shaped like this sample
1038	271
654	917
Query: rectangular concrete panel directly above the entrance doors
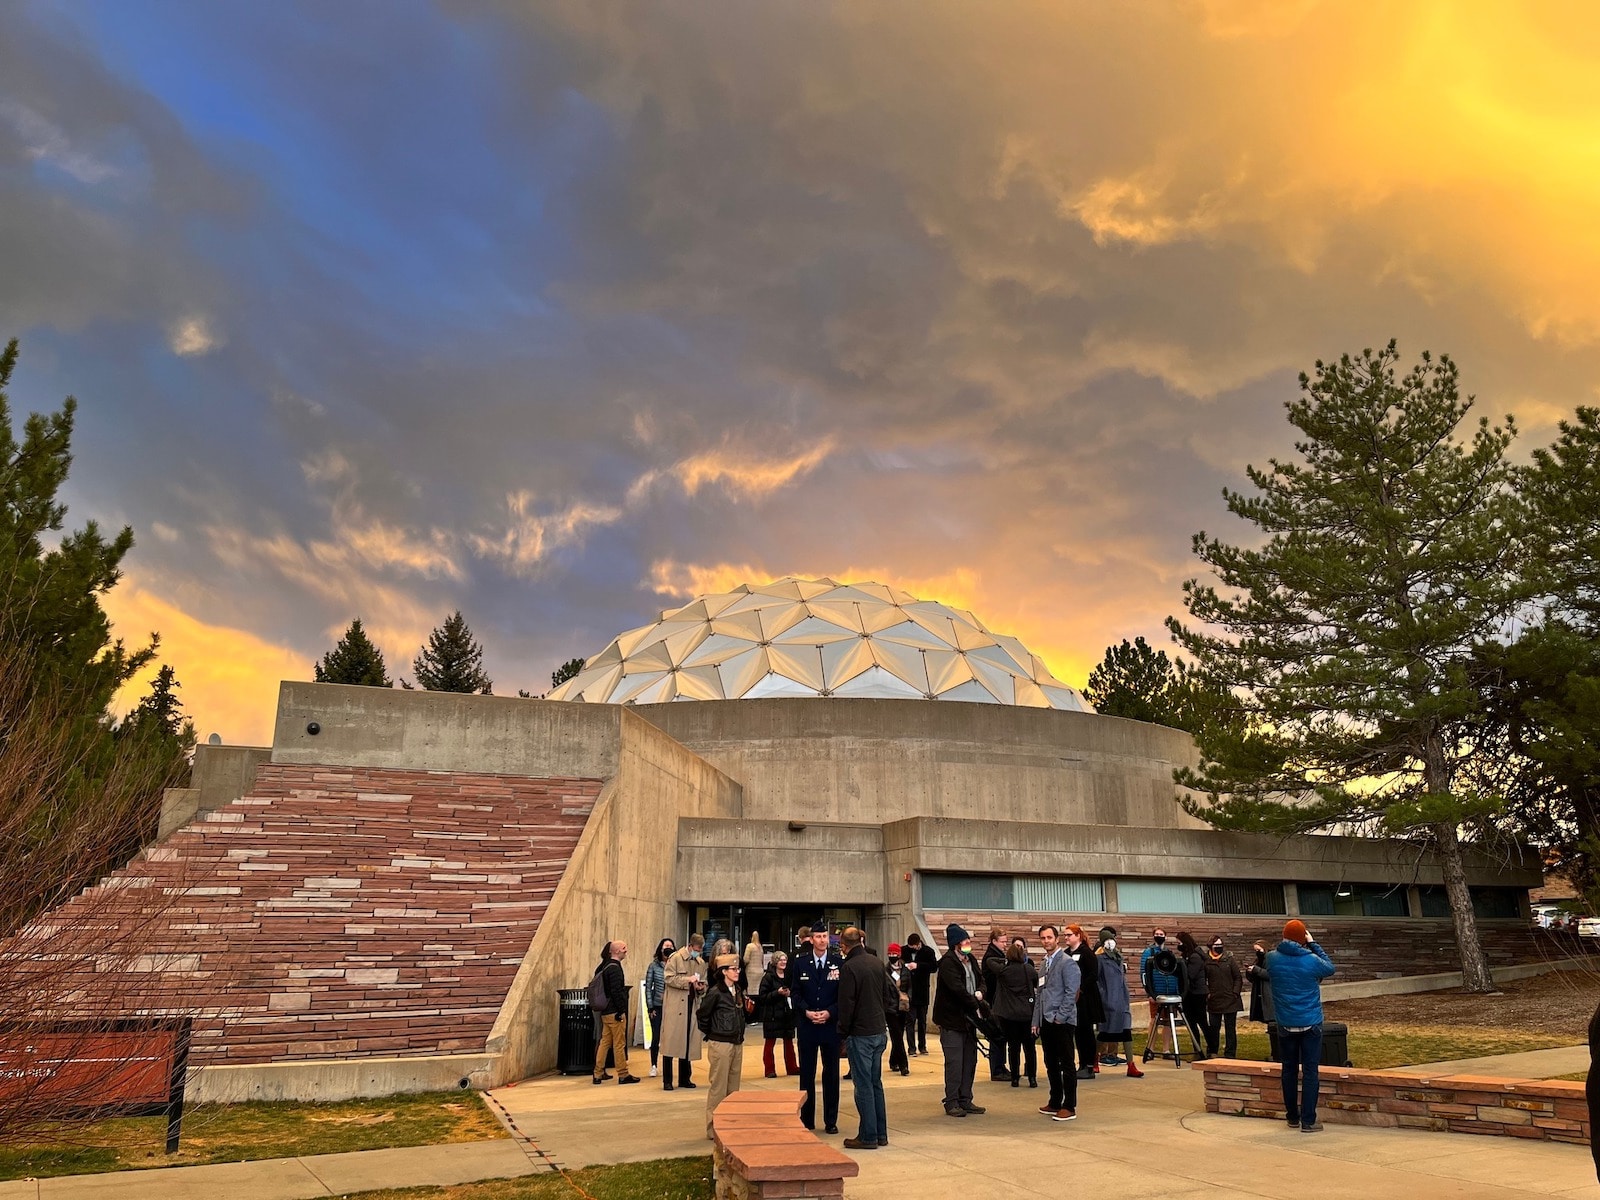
756	860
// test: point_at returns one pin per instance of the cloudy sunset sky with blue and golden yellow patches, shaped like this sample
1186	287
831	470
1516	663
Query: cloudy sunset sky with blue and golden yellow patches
564	313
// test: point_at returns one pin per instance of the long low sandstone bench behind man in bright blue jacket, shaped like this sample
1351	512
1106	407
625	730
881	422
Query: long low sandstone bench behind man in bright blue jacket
1508	1108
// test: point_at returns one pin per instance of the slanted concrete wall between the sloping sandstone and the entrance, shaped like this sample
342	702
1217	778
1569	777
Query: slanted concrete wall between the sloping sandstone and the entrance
618	886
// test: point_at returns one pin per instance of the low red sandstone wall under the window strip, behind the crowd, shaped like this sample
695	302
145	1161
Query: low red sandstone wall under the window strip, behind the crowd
1361	948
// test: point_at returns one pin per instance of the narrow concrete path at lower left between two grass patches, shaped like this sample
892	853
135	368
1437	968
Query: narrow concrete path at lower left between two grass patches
290	1178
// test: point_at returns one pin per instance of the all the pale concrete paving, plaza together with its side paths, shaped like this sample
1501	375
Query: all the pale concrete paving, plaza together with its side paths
1134	1140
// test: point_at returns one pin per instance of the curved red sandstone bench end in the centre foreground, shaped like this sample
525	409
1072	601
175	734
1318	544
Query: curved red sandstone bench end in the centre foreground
761	1150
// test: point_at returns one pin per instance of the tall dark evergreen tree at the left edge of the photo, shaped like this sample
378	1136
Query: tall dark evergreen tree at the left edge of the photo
79	793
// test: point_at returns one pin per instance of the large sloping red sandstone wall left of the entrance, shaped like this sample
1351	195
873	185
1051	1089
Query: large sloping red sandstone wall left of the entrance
340	913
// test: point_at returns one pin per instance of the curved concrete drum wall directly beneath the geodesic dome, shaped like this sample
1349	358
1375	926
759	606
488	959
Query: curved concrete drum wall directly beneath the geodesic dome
874	761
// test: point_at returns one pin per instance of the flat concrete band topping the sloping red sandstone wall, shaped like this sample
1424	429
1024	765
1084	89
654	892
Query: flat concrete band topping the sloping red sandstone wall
446	732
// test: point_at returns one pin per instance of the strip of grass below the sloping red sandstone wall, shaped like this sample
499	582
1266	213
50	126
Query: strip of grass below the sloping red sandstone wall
230	1134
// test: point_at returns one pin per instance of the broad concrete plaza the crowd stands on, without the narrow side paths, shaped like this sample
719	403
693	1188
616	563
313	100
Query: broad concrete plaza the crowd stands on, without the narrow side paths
1134	1138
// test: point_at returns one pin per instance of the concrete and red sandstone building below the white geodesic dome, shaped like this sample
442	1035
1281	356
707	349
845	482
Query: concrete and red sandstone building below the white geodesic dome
390	895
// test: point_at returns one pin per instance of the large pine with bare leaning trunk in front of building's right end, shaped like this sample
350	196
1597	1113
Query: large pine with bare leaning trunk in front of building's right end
1351	631
